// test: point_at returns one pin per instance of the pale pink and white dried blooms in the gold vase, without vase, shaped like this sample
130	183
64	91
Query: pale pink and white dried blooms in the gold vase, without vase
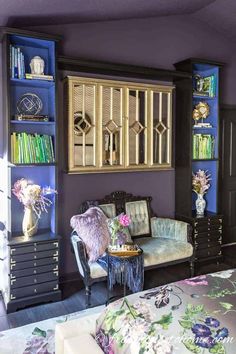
33	196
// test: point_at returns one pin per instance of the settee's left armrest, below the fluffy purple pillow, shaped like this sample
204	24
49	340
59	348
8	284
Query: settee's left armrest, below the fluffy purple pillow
80	255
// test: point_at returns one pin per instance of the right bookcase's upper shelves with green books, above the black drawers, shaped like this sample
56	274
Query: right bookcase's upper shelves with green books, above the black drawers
199	117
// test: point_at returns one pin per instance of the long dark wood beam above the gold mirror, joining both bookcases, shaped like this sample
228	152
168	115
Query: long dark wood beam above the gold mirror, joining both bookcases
116	69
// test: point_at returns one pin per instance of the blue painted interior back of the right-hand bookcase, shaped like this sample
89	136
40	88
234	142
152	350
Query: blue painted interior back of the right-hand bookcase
209	165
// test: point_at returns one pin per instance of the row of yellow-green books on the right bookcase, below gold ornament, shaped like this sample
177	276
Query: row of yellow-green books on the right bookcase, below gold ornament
203	146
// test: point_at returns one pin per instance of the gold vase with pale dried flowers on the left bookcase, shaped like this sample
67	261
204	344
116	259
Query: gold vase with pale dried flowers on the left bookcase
34	199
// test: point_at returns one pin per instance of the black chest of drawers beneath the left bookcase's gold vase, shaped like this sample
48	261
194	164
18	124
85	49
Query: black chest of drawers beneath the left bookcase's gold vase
33	271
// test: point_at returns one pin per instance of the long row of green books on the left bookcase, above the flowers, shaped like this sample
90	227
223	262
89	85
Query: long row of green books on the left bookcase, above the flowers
31	148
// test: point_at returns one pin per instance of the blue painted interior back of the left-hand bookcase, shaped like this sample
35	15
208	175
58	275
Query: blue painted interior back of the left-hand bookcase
41	174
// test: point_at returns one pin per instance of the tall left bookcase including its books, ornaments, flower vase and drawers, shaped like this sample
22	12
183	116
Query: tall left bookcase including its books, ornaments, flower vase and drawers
30	157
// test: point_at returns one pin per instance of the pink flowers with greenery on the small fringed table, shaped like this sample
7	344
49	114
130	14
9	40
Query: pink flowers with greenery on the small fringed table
118	228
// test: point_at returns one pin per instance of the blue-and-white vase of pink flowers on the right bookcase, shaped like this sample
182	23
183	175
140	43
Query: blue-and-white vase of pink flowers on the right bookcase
200	185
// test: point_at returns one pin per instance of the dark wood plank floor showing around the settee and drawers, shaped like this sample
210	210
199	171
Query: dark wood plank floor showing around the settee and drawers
74	299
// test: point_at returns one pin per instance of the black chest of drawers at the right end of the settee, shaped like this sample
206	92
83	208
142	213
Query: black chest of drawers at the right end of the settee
207	234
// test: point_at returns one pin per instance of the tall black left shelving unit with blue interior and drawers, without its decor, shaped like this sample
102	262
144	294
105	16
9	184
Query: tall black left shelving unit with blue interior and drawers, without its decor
31	264
